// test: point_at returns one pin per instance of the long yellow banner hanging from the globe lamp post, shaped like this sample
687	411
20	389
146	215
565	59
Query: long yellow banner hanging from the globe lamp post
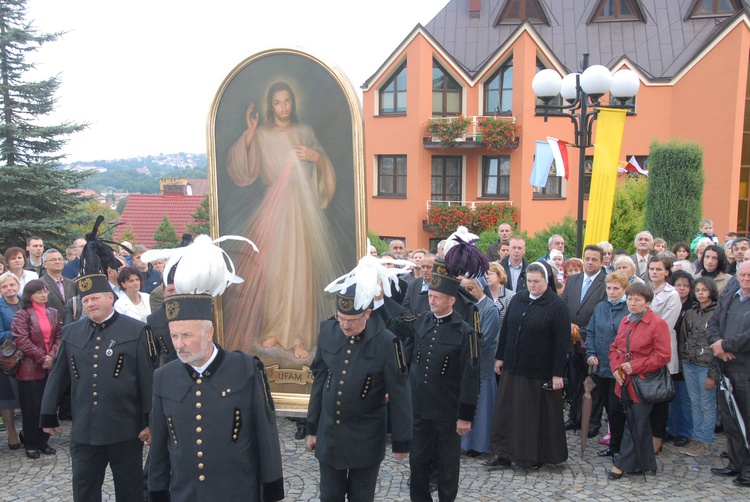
610	127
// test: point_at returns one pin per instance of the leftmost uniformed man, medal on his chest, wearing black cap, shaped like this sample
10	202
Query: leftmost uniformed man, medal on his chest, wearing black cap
105	359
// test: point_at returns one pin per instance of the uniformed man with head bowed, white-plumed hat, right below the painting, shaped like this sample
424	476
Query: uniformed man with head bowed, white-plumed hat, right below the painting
357	364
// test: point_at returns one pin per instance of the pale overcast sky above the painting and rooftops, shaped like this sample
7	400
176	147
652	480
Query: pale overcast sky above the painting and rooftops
143	73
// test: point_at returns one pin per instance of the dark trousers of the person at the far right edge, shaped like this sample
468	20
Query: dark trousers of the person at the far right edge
739	457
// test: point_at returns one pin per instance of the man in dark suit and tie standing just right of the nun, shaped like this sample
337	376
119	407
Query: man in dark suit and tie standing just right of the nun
582	294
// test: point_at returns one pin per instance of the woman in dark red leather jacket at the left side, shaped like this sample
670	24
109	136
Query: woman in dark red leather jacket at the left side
36	329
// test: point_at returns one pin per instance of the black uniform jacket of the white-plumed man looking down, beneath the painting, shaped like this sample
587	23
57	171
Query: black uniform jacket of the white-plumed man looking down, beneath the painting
347	409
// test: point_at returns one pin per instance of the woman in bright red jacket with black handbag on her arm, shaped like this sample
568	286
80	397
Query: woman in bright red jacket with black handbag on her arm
650	349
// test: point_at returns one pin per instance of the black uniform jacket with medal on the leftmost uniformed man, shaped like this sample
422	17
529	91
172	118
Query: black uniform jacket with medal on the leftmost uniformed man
108	368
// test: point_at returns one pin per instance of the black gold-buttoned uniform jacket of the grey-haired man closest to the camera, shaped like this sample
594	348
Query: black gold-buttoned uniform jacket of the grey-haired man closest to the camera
214	436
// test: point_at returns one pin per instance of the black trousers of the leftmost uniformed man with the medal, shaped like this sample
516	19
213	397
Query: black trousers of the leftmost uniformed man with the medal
125	459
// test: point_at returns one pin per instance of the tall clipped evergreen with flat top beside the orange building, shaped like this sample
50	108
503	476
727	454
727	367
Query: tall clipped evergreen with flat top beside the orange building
674	200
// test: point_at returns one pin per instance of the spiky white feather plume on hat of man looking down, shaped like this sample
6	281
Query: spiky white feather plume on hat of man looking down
368	275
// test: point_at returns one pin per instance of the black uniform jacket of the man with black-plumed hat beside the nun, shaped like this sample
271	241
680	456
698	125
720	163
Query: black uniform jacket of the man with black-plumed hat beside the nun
445	369
